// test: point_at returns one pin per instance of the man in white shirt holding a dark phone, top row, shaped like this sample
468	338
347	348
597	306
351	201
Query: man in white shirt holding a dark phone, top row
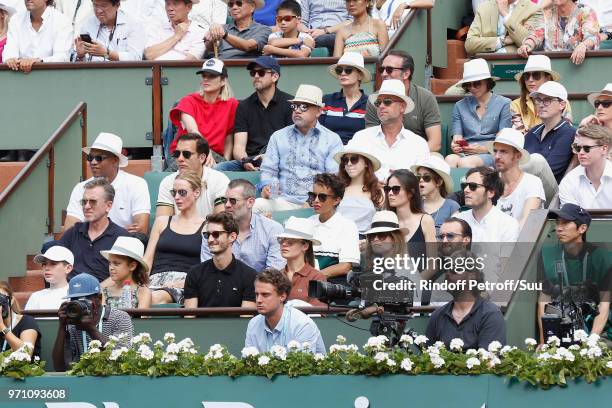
110	34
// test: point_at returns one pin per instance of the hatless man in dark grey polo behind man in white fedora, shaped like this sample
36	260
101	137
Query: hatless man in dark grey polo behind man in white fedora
424	118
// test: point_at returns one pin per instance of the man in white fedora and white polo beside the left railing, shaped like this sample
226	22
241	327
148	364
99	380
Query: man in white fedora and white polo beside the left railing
132	206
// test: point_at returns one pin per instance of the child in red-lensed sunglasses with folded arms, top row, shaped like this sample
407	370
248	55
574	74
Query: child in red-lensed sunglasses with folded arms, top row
288	41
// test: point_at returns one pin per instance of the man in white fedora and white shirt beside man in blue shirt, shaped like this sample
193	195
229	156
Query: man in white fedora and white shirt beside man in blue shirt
397	147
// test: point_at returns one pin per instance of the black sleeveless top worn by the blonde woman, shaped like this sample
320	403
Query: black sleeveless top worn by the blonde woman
177	252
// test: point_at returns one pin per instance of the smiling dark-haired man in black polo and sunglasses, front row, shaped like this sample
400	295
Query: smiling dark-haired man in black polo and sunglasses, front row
223	280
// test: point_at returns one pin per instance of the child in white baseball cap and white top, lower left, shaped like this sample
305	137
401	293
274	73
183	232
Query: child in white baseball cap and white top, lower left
56	264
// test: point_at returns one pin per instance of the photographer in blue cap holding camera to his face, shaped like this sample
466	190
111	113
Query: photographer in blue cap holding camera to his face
83	319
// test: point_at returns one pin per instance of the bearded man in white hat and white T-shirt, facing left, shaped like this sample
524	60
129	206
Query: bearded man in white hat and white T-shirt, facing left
523	192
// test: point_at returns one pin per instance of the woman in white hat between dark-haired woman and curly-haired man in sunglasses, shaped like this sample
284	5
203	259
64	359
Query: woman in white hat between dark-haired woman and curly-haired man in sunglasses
435	183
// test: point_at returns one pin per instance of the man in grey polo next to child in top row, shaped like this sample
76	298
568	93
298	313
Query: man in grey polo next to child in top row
243	37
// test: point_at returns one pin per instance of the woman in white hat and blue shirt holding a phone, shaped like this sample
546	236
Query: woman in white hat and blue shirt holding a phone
477	118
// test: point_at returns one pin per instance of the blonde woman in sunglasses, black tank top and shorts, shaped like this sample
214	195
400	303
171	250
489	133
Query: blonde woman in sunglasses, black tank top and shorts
175	241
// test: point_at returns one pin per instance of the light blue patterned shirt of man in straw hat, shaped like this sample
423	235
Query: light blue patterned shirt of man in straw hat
293	159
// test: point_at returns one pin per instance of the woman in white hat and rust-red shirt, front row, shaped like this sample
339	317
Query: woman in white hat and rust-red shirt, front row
296	243
